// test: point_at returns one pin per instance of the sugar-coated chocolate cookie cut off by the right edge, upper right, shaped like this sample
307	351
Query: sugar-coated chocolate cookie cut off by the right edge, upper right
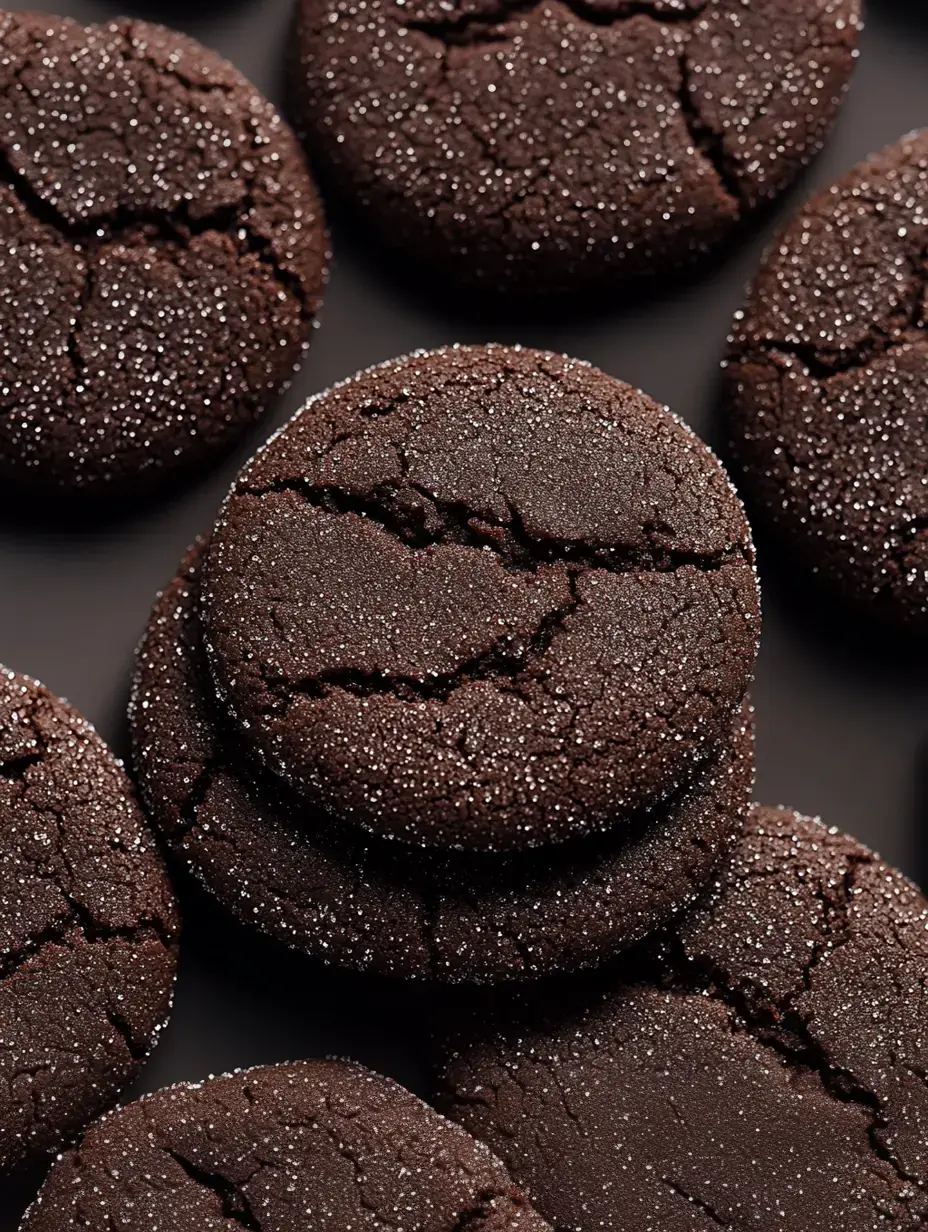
828	383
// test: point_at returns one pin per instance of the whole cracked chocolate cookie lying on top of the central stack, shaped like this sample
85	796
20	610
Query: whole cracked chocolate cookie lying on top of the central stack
484	598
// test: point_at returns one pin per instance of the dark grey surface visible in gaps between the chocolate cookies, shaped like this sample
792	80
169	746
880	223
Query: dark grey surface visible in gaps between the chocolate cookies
842	715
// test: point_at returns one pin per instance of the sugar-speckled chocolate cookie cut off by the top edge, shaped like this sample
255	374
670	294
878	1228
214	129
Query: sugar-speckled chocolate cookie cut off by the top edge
540	146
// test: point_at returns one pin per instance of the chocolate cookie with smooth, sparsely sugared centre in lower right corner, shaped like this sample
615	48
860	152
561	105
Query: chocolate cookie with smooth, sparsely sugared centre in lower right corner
762	1069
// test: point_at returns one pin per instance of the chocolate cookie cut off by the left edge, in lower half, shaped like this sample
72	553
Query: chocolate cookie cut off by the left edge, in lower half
88	926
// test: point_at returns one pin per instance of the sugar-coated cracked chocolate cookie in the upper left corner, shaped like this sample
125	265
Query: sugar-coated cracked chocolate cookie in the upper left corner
163	253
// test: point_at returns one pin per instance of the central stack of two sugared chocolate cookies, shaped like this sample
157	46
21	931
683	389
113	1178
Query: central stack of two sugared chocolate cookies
457	687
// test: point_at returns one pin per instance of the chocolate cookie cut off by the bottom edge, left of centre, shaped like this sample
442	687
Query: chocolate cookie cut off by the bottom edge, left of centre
321	1145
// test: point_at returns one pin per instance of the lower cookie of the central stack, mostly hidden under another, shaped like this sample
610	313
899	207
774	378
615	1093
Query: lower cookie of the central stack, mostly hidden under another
357	902
